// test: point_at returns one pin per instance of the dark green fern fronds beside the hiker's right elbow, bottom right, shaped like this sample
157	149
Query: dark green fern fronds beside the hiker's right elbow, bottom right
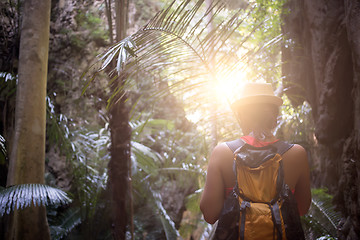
322	219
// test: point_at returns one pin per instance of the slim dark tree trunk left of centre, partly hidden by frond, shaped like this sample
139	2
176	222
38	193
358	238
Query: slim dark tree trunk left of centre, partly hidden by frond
119	164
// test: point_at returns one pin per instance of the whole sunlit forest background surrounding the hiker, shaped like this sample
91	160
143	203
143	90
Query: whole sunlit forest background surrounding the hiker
137	93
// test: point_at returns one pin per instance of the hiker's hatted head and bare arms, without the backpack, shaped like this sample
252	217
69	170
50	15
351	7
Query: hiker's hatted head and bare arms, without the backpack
256	110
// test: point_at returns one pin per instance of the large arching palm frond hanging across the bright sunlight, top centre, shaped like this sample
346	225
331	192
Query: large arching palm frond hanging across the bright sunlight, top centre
190	45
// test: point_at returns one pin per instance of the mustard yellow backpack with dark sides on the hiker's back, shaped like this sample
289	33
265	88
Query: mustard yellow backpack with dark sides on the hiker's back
261	206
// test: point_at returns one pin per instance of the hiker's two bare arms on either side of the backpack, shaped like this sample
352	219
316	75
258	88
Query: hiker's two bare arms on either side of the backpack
221	174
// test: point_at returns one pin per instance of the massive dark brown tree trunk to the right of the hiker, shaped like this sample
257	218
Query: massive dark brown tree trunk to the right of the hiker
322	63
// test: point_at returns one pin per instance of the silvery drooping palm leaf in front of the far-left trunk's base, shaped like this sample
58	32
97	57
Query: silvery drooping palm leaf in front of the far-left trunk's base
27	195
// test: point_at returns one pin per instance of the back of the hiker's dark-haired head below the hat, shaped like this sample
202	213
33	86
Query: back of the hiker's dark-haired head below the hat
258	120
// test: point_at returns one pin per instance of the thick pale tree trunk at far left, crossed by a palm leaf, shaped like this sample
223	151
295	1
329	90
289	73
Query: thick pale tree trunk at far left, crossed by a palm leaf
27	158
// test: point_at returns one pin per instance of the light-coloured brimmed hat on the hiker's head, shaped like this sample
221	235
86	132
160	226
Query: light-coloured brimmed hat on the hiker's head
257	93
